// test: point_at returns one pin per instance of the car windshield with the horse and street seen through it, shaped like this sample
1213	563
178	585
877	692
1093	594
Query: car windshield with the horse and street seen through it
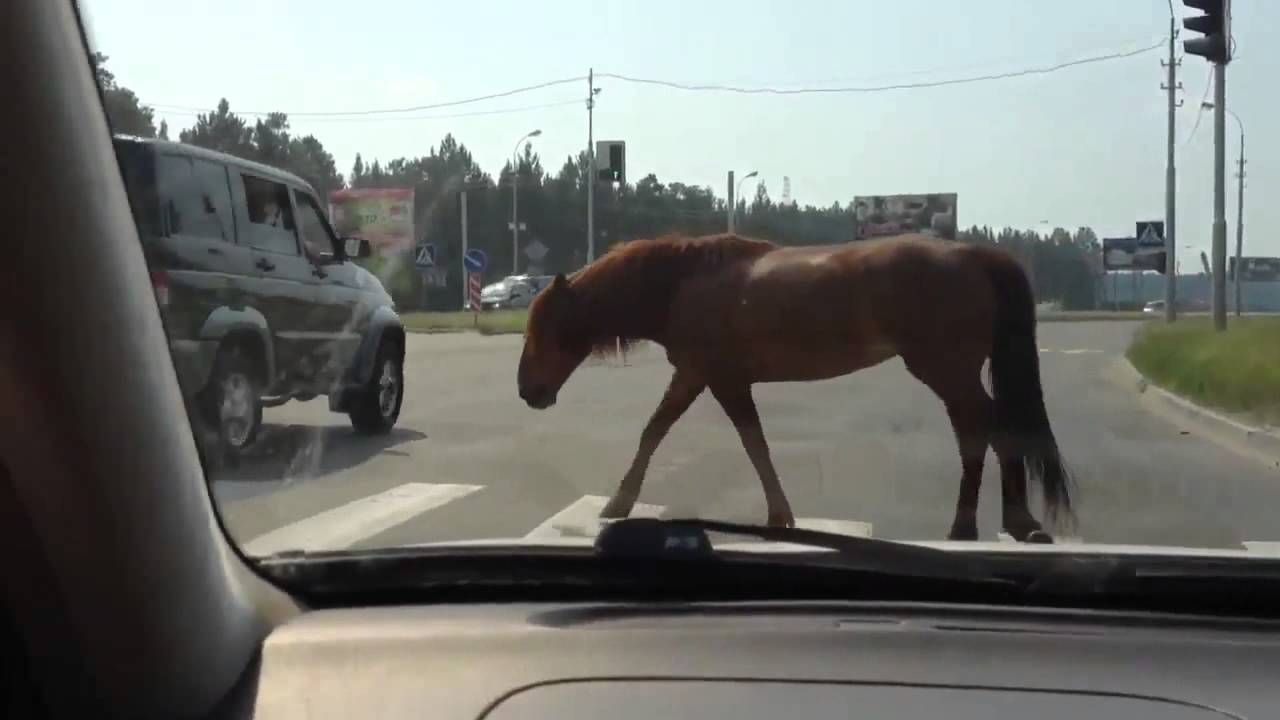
915	271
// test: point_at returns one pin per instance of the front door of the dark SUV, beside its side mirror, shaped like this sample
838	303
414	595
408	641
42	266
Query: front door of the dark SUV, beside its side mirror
346	318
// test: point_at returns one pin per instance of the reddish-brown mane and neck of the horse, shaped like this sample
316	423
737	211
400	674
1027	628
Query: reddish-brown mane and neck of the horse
627	294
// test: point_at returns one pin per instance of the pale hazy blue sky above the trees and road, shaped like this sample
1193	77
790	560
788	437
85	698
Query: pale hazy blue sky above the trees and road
1081	147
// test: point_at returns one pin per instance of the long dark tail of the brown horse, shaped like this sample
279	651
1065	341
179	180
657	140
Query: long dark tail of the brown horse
1021	420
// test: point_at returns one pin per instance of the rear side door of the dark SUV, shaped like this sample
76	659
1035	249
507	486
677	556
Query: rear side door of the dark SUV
287	290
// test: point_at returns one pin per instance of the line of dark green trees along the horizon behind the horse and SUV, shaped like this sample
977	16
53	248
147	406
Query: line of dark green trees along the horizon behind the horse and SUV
554	206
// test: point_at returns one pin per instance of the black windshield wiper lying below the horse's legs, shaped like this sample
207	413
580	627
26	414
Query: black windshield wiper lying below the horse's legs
688	540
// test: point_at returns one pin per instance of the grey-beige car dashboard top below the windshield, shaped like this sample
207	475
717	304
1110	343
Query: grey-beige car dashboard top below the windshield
762	660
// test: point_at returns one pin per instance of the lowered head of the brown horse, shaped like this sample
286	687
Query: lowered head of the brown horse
555	347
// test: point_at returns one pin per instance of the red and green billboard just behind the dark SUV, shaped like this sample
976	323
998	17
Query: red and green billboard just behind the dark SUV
385	217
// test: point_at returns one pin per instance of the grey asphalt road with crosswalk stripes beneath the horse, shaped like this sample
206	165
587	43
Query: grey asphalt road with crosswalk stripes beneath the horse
868	453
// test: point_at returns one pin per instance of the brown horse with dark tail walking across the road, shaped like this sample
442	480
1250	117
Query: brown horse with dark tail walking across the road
733	312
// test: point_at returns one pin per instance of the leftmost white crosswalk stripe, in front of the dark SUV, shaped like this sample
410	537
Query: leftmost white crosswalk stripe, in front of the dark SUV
348	525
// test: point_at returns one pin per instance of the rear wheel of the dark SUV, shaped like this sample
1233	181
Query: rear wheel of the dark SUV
234	403
